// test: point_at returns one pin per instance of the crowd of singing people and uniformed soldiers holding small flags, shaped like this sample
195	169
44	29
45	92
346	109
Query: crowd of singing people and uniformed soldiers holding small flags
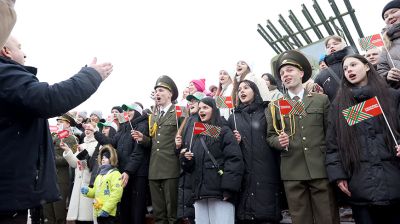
248	163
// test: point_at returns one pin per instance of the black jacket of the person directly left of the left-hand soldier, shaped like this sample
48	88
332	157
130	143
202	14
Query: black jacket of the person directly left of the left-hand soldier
133	158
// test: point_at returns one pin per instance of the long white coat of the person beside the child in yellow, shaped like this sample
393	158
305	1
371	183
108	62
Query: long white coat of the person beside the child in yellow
80	207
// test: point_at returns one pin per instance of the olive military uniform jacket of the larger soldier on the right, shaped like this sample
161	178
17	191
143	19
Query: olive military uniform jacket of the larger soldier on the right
305	157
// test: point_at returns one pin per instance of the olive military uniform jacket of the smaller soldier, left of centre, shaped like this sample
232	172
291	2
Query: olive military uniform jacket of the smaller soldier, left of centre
164	162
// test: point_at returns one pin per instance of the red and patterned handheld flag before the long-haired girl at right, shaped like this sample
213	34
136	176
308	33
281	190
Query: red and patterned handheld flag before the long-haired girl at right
362	111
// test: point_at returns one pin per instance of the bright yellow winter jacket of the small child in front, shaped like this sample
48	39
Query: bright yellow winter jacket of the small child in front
107	192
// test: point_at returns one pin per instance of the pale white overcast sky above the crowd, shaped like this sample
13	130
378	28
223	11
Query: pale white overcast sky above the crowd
145	39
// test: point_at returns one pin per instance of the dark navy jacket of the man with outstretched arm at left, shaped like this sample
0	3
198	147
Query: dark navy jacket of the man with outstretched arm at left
28	175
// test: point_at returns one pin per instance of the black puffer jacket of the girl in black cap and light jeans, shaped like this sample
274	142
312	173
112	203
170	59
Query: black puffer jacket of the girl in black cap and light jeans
206	181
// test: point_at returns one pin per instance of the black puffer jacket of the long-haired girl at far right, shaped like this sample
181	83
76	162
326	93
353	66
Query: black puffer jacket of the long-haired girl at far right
378	179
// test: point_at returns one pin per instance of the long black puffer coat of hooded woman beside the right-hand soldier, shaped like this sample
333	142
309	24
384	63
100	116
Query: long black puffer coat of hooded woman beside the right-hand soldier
259	197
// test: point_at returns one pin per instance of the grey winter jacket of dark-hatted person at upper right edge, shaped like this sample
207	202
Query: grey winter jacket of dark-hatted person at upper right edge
385	63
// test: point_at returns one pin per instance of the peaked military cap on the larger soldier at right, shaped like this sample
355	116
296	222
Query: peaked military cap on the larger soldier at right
297	59
